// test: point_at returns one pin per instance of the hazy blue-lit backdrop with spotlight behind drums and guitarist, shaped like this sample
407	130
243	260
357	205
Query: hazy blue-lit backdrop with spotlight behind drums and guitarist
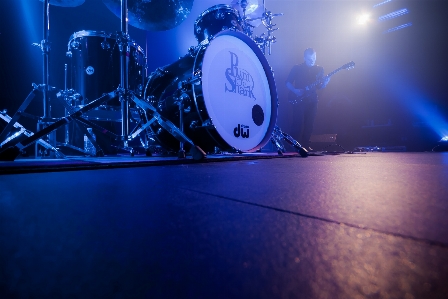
395	96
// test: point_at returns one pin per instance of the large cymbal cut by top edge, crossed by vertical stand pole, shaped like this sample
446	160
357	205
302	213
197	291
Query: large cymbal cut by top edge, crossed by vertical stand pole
153	15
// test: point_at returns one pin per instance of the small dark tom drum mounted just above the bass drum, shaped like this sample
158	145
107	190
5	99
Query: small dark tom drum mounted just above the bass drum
214	20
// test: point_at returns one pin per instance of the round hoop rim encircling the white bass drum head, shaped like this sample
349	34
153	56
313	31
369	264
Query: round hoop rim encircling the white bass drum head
268	72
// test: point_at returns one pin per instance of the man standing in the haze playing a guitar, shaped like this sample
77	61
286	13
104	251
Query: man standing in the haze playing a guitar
301	76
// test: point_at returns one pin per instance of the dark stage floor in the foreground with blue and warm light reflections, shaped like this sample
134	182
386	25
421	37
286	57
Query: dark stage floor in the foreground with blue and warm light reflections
371	225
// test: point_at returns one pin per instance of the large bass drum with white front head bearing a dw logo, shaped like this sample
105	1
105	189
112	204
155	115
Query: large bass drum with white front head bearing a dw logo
228	91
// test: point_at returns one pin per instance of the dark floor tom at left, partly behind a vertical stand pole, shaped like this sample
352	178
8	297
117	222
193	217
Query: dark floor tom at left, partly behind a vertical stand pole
95	64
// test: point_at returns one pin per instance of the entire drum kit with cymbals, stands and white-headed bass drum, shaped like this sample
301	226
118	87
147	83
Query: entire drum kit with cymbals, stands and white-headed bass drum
219	97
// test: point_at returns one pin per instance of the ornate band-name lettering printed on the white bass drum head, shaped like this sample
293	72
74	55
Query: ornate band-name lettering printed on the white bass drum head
240	80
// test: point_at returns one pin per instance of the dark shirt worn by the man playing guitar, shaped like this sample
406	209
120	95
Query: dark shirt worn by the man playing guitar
302	75
